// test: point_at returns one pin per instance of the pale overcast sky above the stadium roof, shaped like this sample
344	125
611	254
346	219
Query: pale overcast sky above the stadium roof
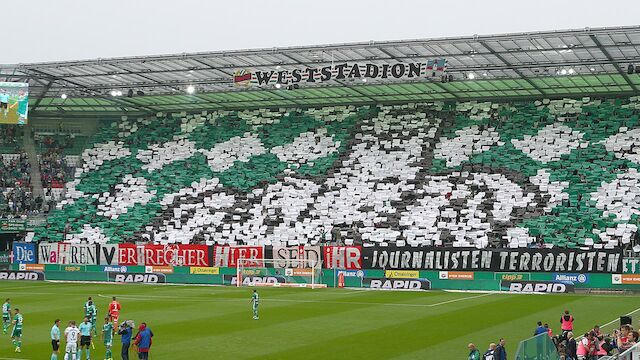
54	30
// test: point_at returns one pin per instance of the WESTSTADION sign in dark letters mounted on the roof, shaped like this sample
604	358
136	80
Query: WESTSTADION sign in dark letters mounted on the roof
341	71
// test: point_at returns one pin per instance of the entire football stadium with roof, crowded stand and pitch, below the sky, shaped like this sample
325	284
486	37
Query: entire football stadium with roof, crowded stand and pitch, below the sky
440	197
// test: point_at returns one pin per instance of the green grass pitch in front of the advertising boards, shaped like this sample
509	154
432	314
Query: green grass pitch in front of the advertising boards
191	322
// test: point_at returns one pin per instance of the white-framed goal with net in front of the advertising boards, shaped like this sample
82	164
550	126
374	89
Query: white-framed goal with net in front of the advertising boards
279	273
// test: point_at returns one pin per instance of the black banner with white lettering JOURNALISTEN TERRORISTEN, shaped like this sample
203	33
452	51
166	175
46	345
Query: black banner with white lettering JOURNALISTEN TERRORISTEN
526	260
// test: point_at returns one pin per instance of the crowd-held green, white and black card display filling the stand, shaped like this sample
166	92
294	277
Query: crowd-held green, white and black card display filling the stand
544	173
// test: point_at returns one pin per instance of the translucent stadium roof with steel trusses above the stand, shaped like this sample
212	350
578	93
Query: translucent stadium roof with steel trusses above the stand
538	64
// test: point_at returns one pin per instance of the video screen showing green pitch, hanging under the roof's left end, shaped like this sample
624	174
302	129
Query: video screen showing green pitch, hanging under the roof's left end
14	103
